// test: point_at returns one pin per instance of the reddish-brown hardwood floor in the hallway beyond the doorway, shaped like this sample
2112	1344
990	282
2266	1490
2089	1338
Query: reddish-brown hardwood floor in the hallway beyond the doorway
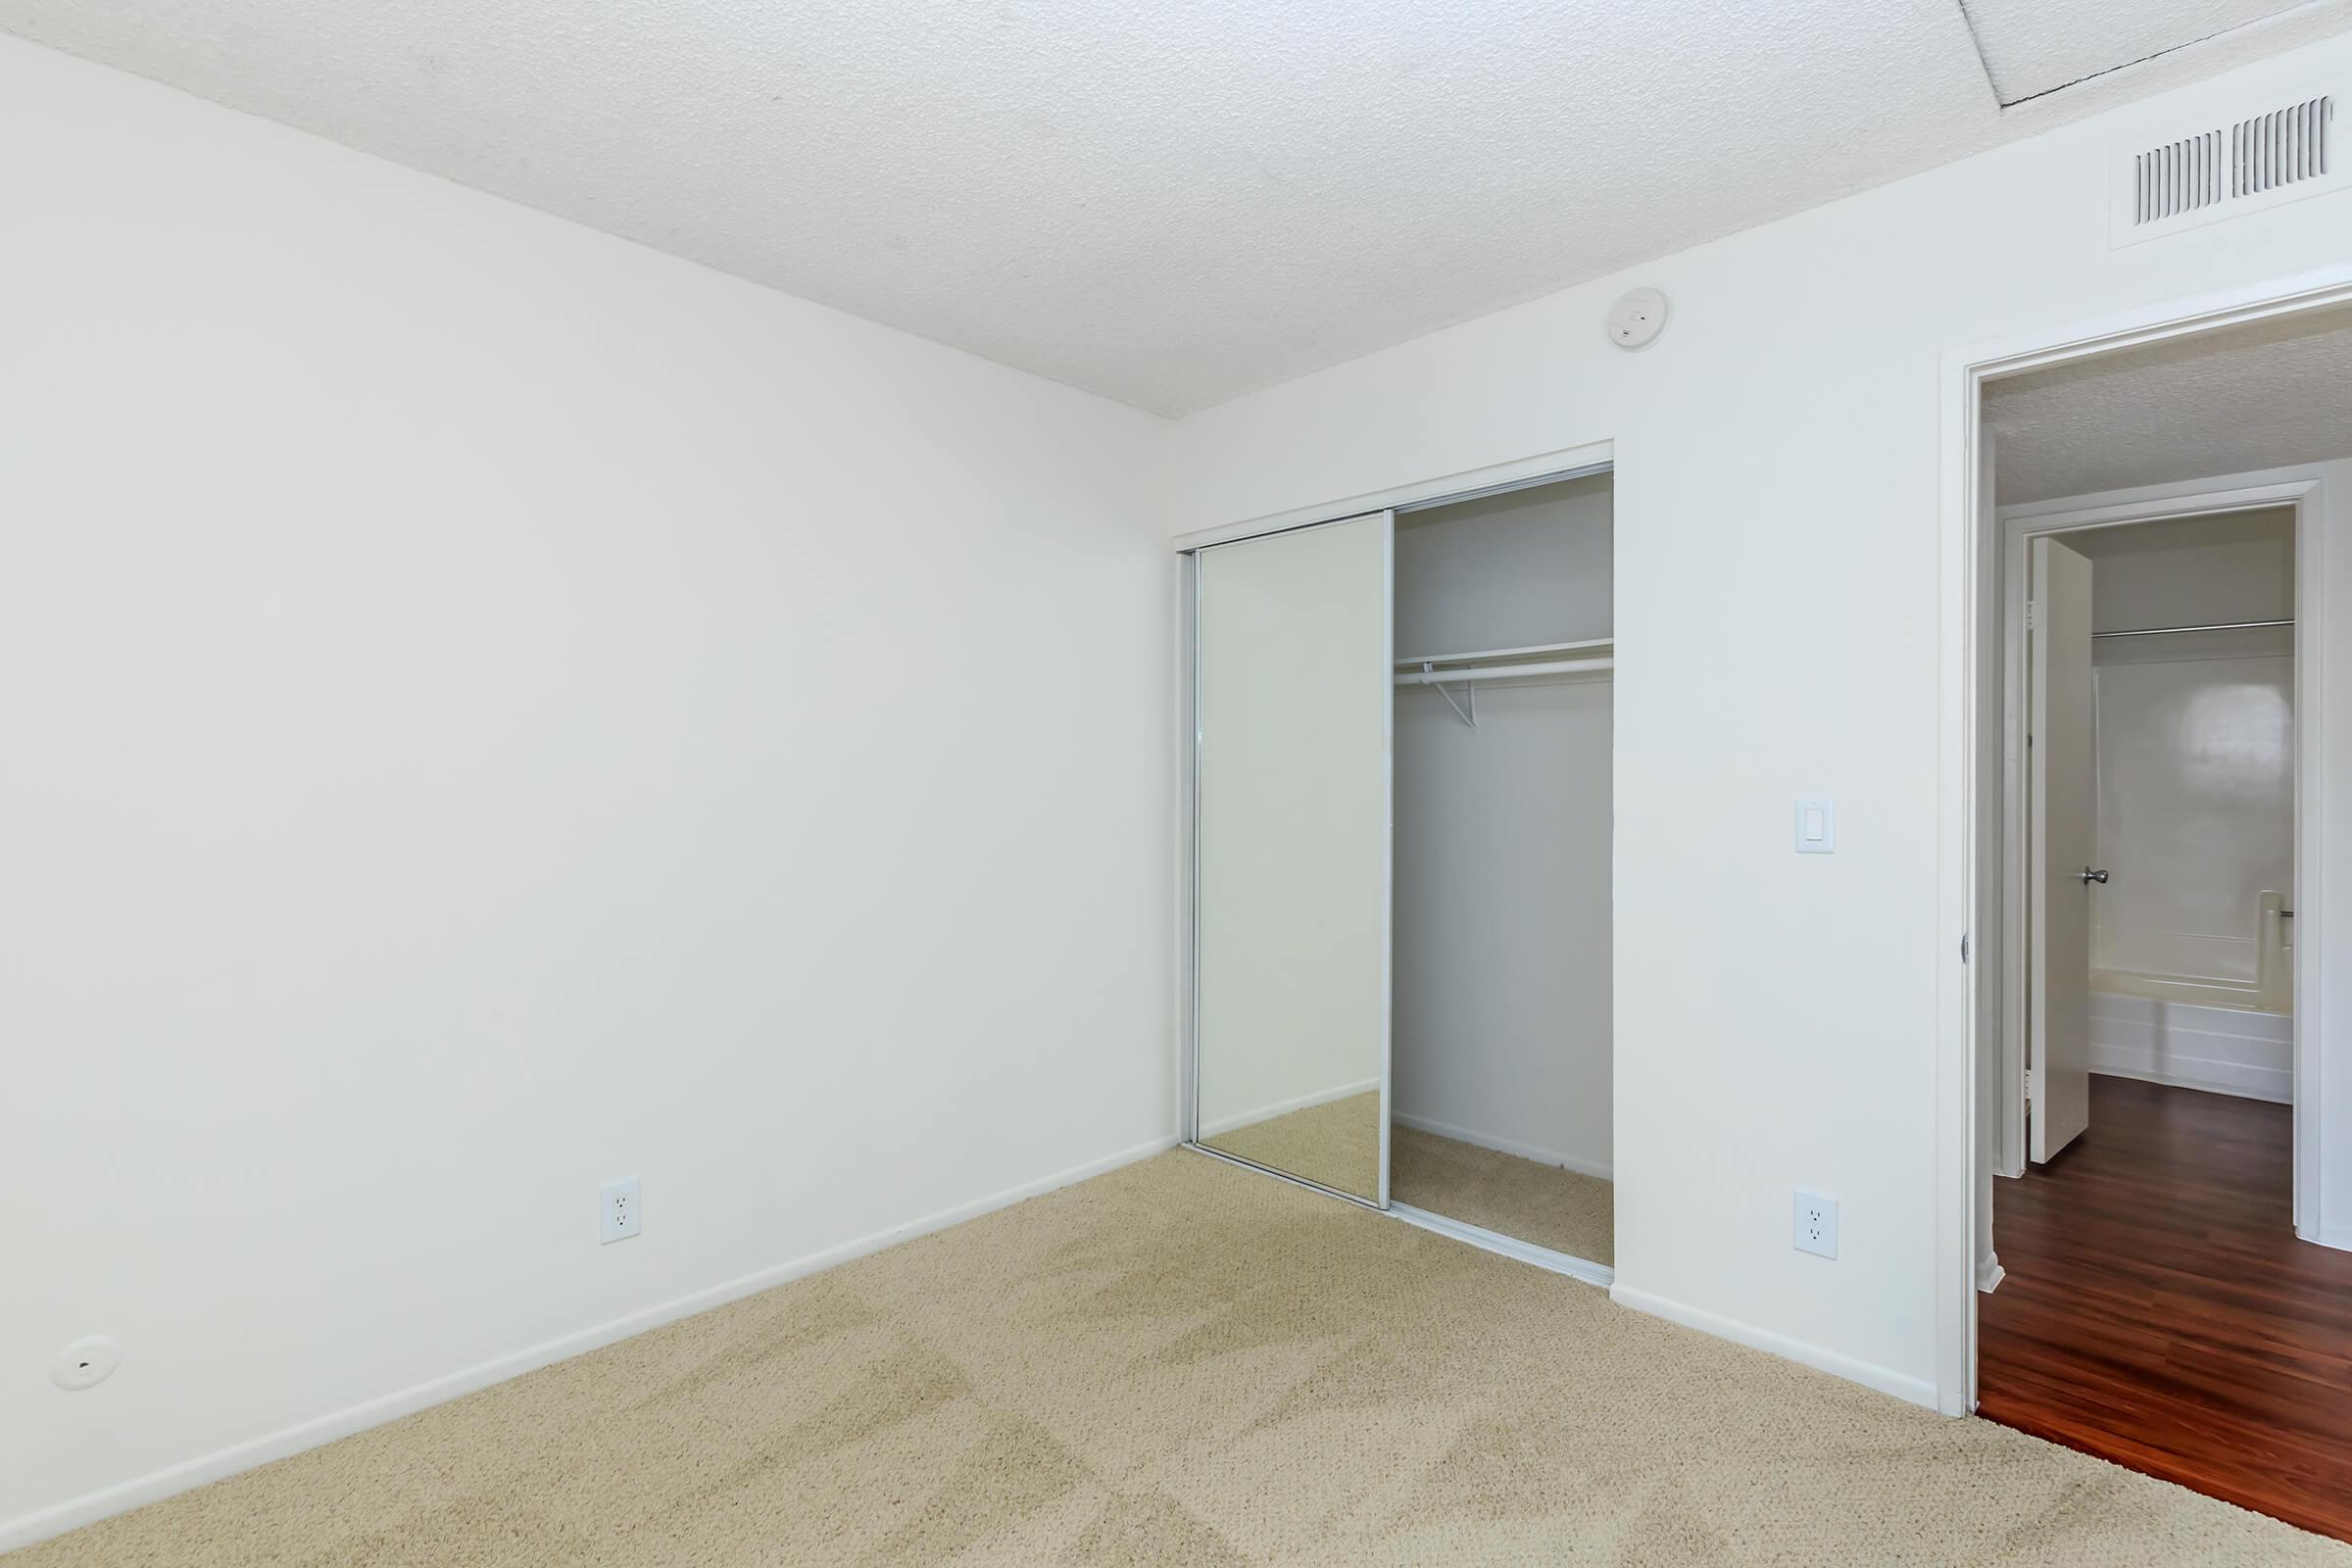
2160	1313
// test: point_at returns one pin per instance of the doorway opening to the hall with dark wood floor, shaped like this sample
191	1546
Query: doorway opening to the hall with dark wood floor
2160	1285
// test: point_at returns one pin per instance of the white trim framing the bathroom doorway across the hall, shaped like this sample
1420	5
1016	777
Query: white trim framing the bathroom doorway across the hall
2247	492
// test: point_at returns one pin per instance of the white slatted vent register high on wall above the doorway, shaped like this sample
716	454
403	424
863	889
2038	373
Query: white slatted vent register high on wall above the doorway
2243	166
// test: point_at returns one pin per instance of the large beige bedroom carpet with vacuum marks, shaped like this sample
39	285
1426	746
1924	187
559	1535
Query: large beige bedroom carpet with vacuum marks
1184	1362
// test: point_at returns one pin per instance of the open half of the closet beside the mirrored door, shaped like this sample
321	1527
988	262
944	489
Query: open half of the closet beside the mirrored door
1506	636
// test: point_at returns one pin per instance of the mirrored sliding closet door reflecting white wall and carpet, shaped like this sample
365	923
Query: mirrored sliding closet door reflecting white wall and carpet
1292	852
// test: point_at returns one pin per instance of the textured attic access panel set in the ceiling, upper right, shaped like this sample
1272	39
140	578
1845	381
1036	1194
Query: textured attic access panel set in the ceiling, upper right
2043	46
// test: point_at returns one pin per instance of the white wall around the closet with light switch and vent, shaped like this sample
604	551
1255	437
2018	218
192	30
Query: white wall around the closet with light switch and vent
1777	615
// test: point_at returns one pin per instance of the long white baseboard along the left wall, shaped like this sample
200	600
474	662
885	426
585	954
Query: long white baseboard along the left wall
236	1459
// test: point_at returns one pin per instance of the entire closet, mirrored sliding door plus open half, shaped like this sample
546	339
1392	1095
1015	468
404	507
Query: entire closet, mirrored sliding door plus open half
1401	864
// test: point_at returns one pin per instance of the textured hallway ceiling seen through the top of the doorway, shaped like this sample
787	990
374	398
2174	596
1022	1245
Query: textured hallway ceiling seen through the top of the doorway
2233	401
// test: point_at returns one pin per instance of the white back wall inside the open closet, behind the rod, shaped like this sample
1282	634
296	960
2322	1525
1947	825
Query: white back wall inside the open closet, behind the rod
1502	958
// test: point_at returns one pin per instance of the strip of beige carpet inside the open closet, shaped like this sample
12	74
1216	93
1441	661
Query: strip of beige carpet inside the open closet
1502	1193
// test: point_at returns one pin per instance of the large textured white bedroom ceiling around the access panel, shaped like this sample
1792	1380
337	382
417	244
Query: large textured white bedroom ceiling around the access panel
1163	201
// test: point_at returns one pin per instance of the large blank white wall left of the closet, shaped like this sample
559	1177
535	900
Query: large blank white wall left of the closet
493	709
